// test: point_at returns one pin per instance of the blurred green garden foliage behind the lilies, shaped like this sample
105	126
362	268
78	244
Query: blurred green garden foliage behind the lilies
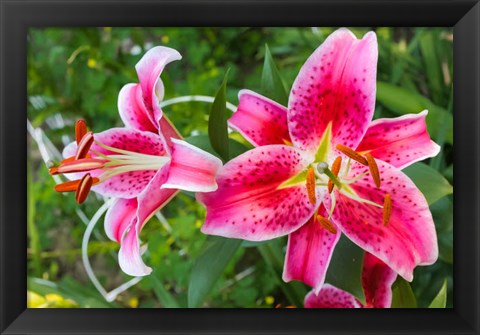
77	73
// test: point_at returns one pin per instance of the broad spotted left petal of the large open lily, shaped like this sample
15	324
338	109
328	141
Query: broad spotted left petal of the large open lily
249	203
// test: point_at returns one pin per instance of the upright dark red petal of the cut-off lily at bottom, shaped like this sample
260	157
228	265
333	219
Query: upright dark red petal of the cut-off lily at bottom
377	280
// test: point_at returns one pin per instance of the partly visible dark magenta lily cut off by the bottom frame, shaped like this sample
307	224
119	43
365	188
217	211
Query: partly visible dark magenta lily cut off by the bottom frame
377	280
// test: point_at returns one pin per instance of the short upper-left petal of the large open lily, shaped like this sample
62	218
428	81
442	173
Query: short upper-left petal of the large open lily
260	120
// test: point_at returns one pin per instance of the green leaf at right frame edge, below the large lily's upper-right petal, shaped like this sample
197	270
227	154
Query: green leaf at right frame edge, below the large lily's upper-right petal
432	184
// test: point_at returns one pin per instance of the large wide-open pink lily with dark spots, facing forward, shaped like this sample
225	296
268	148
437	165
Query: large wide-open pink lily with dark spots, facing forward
322	168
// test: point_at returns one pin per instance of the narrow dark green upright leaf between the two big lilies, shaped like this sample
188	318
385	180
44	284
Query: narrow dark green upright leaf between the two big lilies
217	122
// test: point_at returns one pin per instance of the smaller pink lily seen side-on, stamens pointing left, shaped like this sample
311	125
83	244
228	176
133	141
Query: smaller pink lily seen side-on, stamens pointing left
143	165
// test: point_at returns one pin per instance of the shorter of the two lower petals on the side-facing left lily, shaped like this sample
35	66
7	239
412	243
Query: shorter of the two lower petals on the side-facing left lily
119	217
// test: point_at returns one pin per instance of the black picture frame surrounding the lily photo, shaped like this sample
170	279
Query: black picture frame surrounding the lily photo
16	16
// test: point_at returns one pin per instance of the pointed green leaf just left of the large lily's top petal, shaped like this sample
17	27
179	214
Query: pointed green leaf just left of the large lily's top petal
272	84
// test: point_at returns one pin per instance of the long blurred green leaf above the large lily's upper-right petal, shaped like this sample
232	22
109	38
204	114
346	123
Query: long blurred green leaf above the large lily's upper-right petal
401	101
